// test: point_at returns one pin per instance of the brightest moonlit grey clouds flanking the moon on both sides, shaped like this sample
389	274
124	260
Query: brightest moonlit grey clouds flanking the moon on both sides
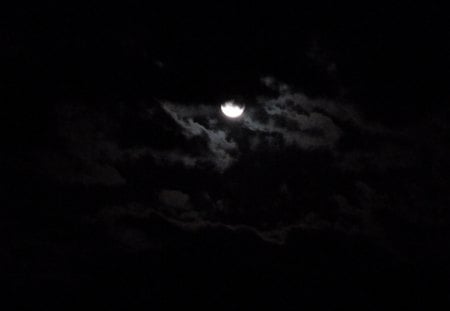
286	119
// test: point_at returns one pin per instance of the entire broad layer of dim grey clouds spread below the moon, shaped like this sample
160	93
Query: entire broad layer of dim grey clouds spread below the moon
319	164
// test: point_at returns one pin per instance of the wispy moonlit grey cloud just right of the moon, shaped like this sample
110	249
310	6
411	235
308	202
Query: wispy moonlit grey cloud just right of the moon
301	121
